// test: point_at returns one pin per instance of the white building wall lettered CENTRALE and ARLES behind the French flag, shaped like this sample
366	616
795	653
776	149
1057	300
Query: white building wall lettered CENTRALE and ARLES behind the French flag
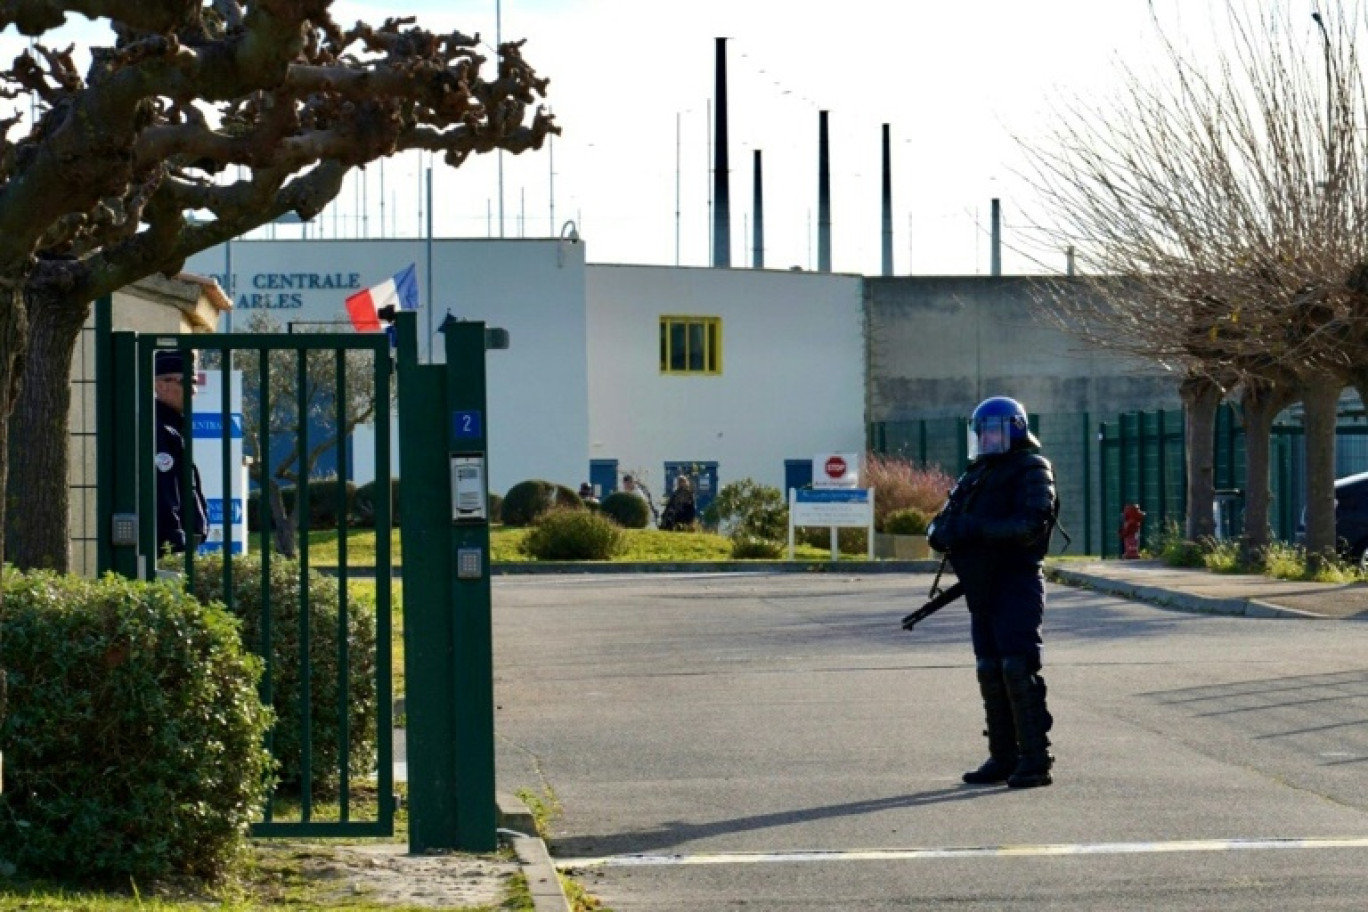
538	399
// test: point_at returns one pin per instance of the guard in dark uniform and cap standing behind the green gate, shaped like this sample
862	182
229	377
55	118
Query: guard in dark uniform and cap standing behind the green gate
179	527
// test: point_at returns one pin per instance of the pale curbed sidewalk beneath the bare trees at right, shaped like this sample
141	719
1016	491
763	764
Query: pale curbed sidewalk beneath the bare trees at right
1207	593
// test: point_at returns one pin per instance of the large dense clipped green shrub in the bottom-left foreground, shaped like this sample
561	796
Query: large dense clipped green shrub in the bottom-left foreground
133	732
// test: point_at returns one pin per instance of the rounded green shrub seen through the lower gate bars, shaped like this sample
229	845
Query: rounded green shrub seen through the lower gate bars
325	672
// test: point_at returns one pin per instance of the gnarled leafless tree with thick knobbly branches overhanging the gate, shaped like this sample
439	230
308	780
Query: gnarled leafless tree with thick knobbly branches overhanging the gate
236	111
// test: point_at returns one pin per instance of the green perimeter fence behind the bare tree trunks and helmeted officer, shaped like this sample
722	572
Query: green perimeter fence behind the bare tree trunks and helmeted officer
1139	457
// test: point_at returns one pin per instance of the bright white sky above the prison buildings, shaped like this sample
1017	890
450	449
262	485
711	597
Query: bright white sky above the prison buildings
962	87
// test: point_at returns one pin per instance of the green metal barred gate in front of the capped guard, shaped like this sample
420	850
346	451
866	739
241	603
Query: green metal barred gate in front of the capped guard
128	546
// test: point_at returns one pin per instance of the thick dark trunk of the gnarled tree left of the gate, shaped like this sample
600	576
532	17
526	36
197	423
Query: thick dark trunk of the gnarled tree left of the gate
40	441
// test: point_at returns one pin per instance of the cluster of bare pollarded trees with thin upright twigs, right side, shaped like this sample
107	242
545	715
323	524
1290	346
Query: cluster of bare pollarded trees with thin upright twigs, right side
1224	210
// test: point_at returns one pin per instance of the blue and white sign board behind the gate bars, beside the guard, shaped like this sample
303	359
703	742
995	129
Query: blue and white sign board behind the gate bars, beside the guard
209	459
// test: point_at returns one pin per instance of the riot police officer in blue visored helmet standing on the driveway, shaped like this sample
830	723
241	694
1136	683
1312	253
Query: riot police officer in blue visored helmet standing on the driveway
995	530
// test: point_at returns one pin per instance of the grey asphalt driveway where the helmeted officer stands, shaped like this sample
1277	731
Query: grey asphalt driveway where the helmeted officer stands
776	743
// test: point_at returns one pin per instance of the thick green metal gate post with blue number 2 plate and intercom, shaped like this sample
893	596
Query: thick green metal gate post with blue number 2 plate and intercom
449	665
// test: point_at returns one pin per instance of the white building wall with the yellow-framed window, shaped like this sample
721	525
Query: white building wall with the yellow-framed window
791	384
